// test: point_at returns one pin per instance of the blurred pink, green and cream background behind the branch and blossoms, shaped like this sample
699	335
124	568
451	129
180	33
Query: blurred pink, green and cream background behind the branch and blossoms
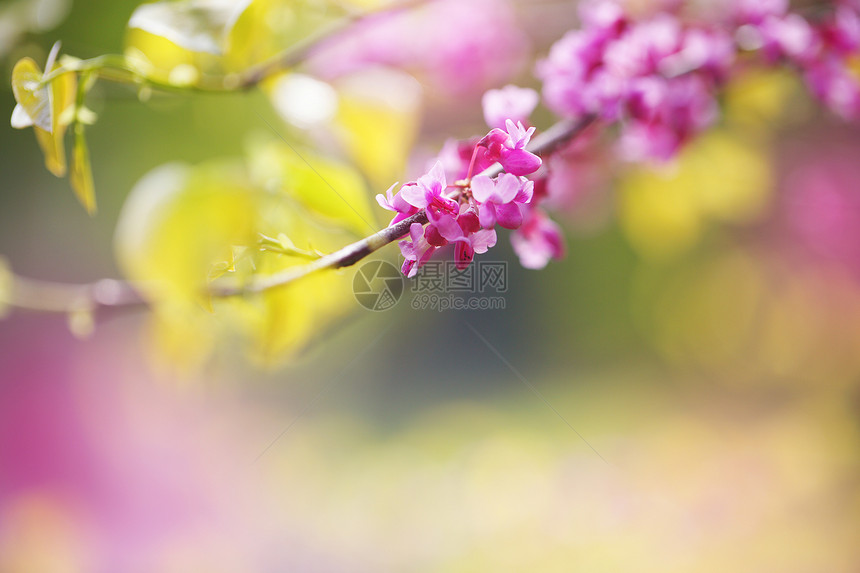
679	394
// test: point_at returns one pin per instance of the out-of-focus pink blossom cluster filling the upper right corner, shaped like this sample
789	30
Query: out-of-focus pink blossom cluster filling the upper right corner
658	77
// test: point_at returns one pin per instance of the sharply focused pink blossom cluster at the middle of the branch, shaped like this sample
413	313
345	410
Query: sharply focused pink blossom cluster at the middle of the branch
466	212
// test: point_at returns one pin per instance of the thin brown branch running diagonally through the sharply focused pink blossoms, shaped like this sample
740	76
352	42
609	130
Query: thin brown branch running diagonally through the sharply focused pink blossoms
107	293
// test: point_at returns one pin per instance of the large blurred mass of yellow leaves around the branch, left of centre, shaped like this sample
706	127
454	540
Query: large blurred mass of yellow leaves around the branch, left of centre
183	227
